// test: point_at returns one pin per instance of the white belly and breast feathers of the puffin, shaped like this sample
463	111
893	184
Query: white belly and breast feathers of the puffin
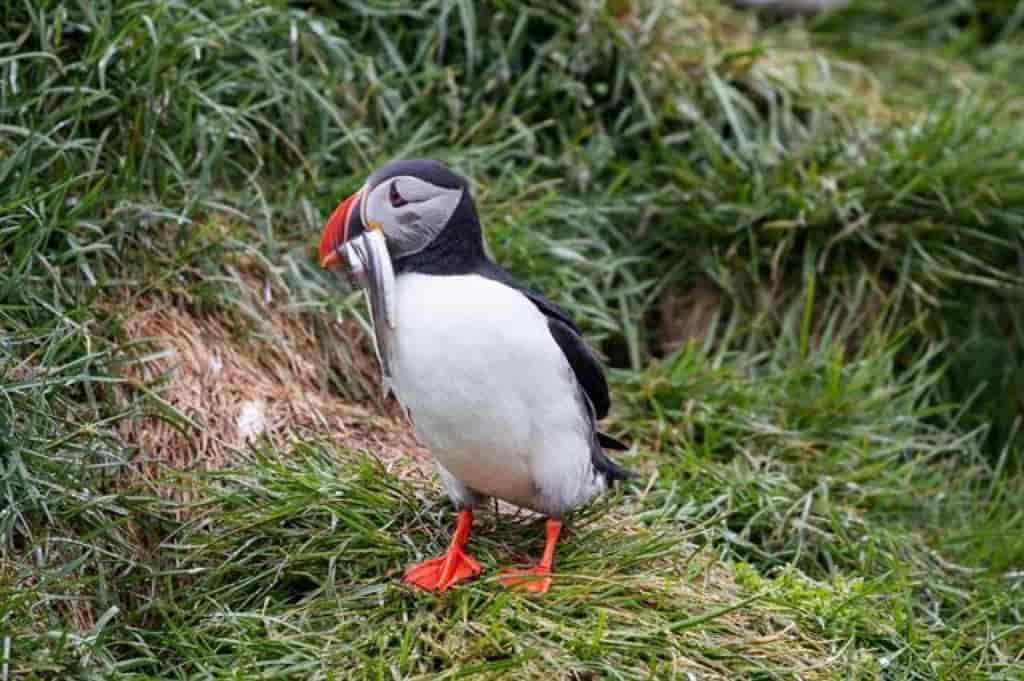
490	393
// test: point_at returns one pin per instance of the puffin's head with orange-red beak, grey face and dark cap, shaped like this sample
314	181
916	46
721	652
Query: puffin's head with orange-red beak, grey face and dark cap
411	202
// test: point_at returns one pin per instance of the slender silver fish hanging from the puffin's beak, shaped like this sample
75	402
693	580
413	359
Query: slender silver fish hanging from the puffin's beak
371	267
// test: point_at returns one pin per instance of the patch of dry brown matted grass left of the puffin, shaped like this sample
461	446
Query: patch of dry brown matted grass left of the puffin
218	394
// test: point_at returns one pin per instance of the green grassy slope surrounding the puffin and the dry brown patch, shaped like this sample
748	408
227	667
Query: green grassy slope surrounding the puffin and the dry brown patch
834	456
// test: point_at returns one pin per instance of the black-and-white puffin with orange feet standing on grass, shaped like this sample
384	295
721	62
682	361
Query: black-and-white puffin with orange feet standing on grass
497	380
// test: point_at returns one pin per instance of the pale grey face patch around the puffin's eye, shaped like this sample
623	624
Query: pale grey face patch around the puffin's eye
410	211
